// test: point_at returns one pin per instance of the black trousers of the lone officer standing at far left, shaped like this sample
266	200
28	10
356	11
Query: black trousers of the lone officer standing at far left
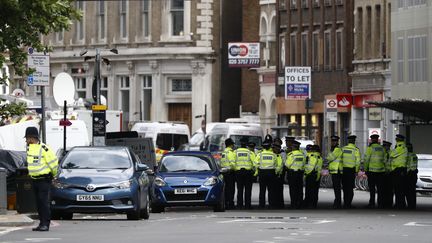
42	191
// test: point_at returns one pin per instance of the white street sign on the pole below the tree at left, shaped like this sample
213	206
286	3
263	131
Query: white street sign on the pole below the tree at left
40	62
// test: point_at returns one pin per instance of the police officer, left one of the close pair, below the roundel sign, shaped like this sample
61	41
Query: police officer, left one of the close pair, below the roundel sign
334	159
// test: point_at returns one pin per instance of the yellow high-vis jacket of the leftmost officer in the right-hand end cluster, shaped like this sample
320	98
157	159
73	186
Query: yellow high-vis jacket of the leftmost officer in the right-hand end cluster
374	158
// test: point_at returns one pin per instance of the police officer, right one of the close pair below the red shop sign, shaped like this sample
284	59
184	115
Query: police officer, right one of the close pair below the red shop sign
351	164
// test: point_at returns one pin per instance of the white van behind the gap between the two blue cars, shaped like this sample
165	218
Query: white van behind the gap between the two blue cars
165	135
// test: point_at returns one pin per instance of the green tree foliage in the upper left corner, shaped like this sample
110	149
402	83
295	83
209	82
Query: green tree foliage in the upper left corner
22	23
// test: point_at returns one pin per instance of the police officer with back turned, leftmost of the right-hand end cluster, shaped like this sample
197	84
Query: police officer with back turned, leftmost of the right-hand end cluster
374	166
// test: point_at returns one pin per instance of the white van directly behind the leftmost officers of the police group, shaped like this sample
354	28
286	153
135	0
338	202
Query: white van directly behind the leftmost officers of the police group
216	137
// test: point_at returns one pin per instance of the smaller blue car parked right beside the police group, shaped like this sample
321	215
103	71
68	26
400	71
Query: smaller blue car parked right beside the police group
187	178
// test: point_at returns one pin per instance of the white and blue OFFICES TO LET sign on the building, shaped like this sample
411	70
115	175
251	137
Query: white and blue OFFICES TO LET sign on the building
297	83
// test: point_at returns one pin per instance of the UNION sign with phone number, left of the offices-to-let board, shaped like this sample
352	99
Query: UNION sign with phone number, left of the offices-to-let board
244	54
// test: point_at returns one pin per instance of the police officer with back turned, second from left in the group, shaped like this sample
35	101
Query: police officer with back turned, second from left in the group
244	170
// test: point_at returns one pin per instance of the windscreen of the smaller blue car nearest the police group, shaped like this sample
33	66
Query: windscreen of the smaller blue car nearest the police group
185	163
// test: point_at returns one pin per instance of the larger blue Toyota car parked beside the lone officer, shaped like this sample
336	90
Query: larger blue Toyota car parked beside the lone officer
107	179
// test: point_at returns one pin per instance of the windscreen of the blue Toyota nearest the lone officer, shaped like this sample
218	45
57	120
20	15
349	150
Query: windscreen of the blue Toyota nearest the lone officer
97	159
